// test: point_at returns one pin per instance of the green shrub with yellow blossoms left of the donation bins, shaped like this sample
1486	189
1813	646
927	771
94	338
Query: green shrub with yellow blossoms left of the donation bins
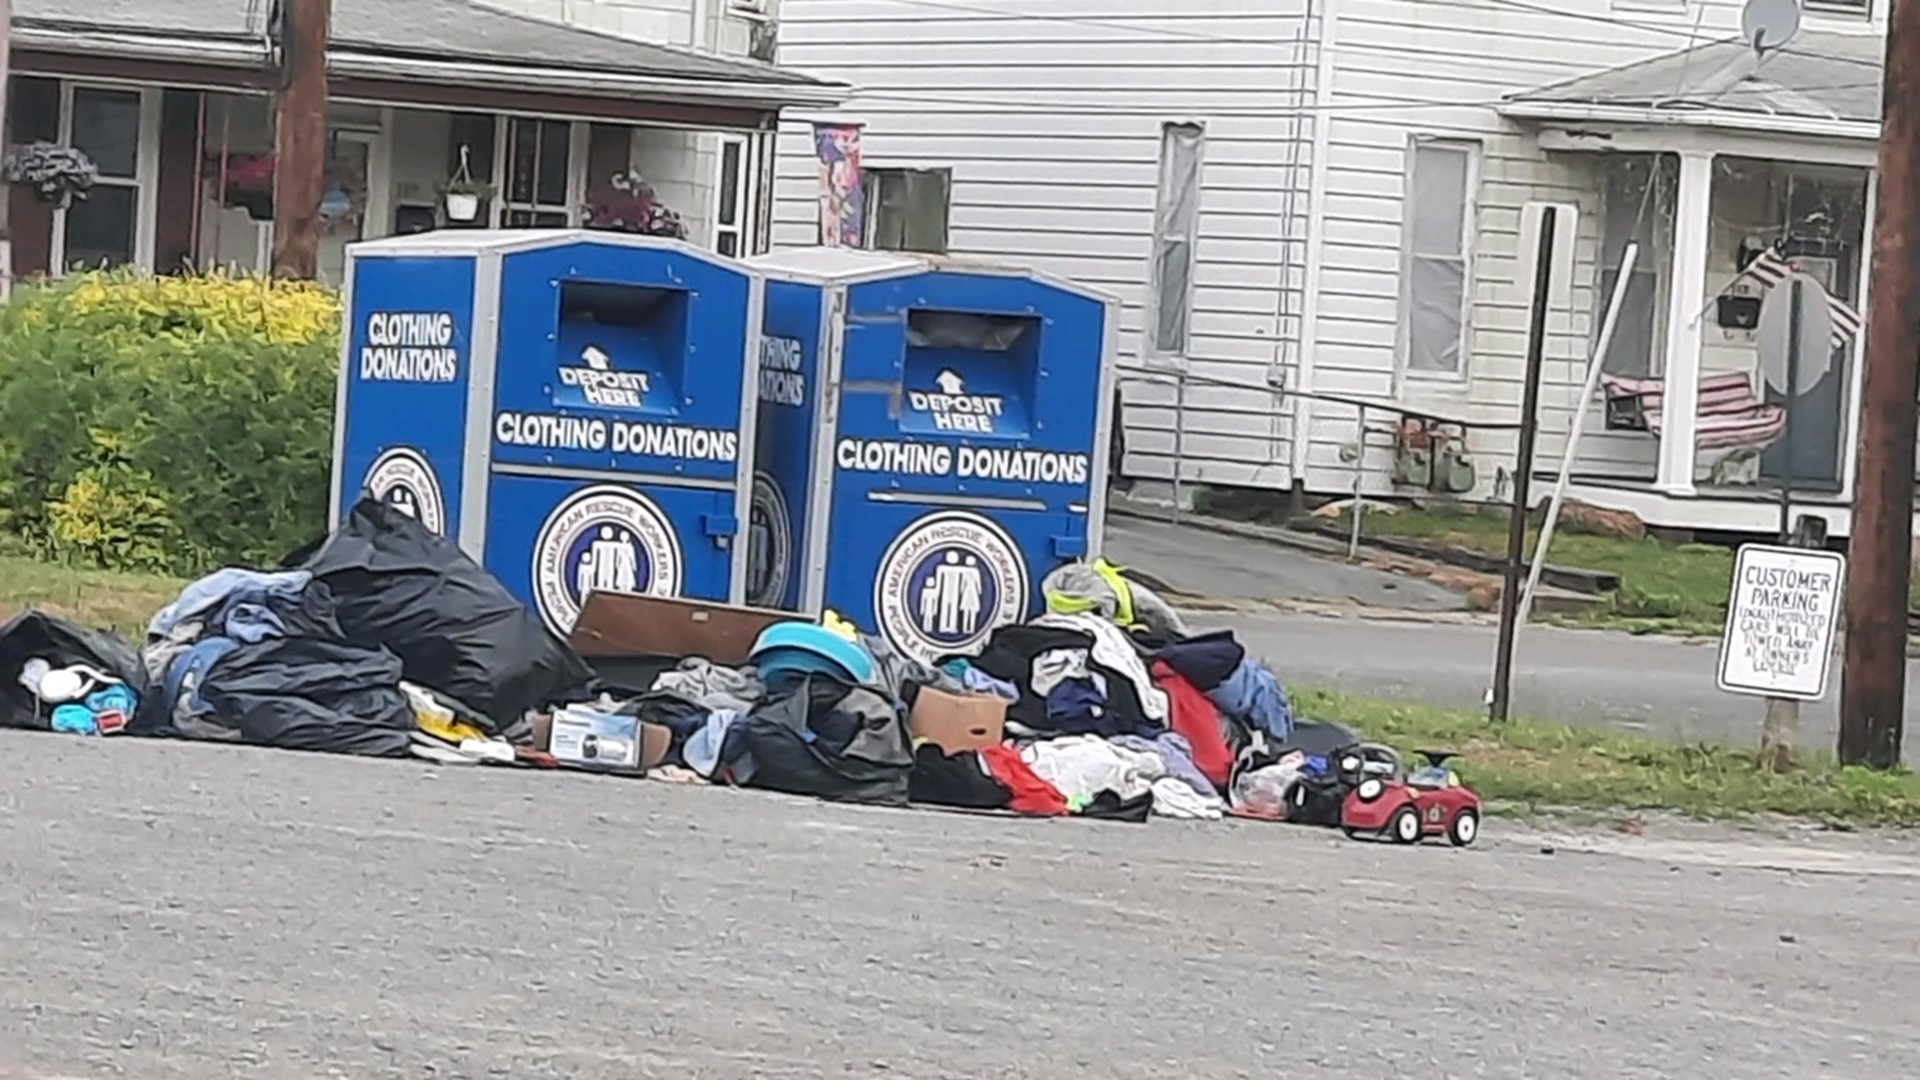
166	424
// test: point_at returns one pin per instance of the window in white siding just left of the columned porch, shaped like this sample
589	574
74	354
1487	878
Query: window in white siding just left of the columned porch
1439	253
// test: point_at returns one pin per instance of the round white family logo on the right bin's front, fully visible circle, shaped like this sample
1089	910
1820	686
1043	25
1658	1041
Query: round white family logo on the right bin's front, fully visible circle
946	583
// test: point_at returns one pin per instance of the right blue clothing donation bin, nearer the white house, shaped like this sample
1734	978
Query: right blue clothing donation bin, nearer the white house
932	441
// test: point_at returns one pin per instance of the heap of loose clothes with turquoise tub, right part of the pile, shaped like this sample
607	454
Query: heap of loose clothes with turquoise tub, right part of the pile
1113	710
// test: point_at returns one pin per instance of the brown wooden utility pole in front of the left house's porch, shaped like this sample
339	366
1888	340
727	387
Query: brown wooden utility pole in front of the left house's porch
300	137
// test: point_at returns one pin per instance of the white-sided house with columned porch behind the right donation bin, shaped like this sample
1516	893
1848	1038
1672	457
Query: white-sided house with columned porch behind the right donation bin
1316	203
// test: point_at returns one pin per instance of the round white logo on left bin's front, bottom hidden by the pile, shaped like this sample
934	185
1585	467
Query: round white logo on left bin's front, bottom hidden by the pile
602	541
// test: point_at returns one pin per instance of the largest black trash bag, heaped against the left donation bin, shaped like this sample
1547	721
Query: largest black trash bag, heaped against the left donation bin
452	626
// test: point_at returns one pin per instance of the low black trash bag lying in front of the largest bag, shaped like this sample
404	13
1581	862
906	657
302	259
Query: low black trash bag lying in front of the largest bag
312	695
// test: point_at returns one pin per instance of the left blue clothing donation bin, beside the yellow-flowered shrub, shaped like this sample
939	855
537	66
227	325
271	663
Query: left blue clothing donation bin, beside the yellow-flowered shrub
575	408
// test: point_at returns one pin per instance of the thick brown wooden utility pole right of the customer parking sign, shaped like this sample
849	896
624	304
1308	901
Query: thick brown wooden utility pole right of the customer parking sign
1873	685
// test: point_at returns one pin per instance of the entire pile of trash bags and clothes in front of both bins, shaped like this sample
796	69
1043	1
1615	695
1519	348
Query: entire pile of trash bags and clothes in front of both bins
387	641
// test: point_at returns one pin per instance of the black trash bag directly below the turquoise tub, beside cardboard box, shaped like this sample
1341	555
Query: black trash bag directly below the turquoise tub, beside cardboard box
832	741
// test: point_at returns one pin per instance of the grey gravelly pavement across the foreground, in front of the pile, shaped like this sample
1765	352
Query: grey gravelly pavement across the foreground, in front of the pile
191	912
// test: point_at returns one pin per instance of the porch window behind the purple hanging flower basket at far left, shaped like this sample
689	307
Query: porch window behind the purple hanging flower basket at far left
107	230
